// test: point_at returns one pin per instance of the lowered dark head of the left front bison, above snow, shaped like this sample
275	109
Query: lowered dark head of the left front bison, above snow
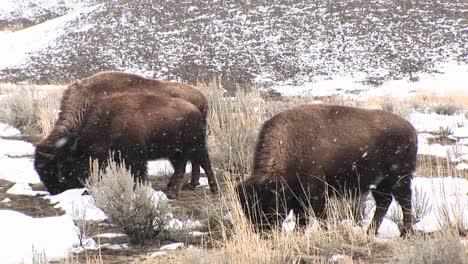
59	166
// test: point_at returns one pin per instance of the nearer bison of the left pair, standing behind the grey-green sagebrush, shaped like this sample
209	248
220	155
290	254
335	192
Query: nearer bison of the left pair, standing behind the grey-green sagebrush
137	127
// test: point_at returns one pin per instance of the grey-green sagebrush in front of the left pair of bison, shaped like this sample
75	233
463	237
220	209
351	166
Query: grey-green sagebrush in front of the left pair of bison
130	206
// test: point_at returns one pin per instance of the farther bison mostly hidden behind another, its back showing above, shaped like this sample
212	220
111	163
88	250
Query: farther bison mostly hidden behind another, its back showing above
82	93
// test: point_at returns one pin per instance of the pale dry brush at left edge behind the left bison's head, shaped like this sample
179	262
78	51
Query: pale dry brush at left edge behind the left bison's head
30	110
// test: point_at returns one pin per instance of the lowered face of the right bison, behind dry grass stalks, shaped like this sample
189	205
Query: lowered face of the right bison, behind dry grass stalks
263	202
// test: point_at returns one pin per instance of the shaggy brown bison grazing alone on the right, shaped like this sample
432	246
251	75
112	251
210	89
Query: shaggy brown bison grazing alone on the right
306	150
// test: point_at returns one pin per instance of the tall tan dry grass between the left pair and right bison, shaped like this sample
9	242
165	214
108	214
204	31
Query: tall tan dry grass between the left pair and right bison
233	125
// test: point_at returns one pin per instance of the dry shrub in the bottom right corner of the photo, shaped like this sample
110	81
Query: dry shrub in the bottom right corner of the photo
441	247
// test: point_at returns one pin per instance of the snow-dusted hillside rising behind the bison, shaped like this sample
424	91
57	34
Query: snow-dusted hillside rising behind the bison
267	42
